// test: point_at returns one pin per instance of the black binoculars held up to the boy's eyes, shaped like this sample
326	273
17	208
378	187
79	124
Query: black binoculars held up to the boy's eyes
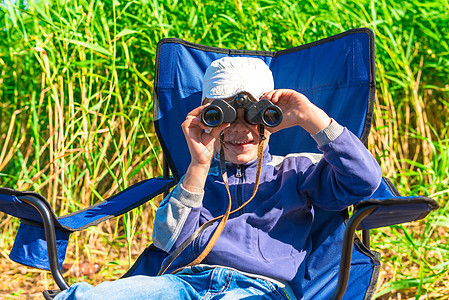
256	112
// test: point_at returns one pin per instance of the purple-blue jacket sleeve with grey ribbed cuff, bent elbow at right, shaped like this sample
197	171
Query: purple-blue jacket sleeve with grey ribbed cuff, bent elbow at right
346	174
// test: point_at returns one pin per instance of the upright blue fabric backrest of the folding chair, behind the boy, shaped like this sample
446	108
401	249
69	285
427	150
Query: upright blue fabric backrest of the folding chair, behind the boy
336	73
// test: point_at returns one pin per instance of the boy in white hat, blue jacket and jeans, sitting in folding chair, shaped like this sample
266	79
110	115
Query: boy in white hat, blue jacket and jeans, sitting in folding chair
261	250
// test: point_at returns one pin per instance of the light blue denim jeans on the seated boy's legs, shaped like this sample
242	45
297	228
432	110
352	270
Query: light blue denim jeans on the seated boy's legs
211	283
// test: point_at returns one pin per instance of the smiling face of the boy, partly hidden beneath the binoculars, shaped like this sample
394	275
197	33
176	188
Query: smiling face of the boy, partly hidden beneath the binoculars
241	140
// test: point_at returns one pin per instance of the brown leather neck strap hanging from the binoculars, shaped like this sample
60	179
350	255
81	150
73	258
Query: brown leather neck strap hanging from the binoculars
225	216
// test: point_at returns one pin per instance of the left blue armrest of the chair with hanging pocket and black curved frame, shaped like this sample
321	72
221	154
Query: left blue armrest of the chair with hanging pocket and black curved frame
44	246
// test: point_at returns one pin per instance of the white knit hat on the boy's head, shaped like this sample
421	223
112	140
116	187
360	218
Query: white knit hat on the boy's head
229	76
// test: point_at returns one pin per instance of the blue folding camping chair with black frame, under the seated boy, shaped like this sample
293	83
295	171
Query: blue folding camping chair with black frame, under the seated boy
336	73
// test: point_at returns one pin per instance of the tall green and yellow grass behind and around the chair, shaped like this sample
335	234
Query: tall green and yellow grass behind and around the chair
76	124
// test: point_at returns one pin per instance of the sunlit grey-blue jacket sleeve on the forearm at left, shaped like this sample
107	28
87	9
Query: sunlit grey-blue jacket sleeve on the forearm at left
176	216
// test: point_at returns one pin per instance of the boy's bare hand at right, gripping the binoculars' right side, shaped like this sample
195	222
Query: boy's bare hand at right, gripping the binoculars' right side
297	110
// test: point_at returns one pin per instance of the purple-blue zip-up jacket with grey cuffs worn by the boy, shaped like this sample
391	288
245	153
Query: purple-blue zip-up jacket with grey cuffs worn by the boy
270	235
